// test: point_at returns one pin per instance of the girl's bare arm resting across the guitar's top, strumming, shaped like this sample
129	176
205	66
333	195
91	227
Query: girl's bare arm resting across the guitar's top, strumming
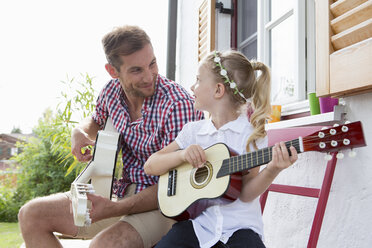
170	157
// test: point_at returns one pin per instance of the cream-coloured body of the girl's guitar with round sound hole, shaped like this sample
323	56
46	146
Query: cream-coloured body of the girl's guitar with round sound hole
183	186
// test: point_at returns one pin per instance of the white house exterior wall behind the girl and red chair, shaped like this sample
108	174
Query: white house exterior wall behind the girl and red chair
348	220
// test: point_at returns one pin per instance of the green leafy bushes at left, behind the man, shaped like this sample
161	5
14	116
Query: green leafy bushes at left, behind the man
46	163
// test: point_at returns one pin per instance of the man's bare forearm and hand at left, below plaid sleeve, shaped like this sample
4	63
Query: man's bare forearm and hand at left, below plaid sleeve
82	136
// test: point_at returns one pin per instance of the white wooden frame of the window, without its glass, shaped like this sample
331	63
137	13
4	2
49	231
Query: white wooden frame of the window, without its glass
304	14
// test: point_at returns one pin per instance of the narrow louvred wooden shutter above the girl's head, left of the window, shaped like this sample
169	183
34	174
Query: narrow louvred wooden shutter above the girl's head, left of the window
206	36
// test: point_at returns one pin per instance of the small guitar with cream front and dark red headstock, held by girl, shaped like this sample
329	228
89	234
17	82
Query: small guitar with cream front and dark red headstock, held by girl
185	185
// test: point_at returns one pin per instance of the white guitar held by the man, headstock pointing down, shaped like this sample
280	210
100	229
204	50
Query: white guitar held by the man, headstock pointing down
99	172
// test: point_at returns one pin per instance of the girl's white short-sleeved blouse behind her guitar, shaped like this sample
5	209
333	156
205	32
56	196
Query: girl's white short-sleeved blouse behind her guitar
221	220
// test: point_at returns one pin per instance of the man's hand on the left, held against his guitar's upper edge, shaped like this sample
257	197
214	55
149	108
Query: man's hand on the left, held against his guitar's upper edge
79	139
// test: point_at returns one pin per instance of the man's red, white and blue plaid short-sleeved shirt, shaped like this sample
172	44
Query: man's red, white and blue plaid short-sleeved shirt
163	116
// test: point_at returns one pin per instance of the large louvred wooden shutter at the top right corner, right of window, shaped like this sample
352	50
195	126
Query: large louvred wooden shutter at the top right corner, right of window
343	47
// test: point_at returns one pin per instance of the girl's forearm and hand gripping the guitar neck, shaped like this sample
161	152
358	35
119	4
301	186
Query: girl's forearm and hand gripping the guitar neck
255	183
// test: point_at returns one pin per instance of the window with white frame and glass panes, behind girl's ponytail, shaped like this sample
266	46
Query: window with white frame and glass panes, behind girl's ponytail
281	34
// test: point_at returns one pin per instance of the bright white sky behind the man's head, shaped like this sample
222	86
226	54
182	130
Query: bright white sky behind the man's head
44	42
